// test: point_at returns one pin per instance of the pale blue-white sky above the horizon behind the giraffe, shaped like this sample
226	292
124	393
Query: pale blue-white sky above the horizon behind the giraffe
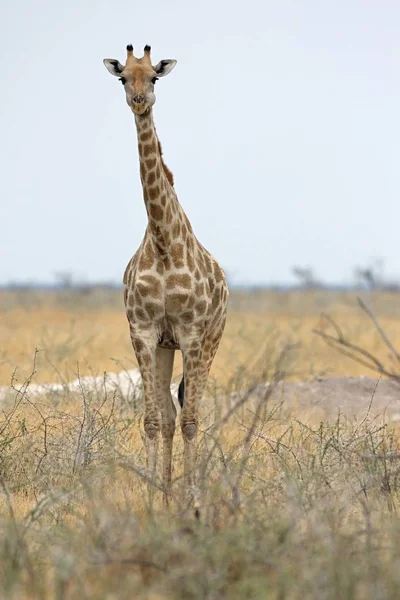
280	123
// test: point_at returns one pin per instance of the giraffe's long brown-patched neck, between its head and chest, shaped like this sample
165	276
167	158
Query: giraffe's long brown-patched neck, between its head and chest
162	205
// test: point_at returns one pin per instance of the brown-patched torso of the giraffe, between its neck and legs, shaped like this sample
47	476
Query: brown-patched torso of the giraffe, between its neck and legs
174	298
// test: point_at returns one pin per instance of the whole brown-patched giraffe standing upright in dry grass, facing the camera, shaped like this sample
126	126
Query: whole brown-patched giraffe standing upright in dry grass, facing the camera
175	292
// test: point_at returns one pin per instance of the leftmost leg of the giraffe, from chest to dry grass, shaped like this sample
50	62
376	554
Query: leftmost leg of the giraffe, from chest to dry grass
144	343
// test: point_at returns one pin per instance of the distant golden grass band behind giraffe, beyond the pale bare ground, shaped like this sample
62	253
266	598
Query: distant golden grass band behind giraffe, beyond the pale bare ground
91	331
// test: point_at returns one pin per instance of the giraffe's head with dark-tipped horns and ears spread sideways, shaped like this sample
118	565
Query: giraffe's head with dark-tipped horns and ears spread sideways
138	77
